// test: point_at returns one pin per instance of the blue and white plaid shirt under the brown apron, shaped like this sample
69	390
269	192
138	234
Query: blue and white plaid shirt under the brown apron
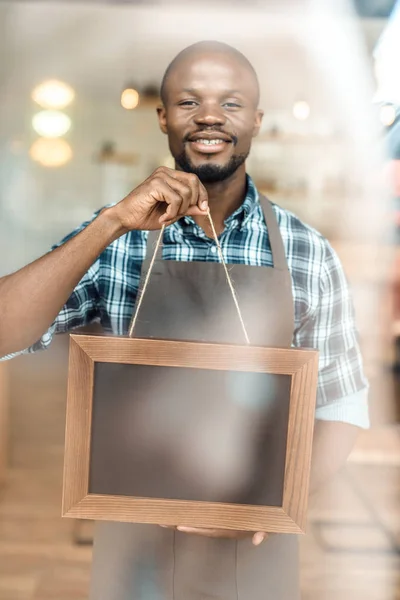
324	316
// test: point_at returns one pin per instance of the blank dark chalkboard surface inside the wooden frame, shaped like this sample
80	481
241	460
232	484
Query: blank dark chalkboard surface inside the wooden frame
189	434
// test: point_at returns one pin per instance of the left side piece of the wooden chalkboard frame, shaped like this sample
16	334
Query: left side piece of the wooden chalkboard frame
78	427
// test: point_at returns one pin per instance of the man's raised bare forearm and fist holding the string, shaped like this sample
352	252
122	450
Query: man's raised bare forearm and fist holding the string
32	297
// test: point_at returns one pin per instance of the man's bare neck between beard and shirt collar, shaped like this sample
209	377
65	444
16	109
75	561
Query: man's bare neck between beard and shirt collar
224	198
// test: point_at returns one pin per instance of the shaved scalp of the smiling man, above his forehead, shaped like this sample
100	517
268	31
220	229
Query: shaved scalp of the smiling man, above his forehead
212	49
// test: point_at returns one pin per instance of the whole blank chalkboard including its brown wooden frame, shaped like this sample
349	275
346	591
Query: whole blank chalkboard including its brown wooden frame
189	433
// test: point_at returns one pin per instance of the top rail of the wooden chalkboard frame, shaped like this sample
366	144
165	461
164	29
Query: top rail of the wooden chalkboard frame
199	355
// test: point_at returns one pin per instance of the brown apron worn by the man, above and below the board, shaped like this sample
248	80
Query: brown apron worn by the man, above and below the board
192	301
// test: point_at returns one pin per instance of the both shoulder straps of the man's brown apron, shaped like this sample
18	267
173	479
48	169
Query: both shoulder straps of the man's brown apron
275	238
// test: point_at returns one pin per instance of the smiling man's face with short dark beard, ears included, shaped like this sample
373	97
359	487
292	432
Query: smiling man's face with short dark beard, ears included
210	115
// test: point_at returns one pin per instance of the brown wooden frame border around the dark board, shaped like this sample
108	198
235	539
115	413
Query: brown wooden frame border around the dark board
301	365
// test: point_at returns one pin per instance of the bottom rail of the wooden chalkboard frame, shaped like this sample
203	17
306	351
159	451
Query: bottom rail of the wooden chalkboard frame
182	512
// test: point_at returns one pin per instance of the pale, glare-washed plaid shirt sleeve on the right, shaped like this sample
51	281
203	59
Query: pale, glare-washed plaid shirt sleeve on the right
342	393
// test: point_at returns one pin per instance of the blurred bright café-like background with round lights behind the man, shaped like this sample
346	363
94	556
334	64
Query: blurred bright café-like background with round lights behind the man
78	129
